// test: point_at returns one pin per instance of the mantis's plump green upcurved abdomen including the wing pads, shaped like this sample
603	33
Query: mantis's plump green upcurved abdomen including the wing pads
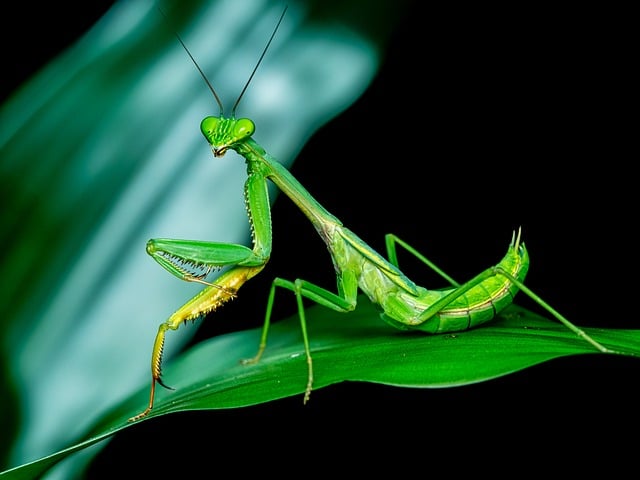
410	307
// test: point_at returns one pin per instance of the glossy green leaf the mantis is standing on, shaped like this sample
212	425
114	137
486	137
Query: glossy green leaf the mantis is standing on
356	346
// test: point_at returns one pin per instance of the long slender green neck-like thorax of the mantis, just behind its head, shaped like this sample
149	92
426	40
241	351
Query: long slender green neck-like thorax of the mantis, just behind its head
260	162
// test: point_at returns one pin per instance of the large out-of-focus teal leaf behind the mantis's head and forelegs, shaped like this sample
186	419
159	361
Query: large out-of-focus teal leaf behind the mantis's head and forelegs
101	151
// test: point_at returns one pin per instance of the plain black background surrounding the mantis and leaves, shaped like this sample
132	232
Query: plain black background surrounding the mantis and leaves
480	121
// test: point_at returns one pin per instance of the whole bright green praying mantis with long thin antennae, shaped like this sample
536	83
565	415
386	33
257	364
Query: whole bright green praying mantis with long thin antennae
404	304
